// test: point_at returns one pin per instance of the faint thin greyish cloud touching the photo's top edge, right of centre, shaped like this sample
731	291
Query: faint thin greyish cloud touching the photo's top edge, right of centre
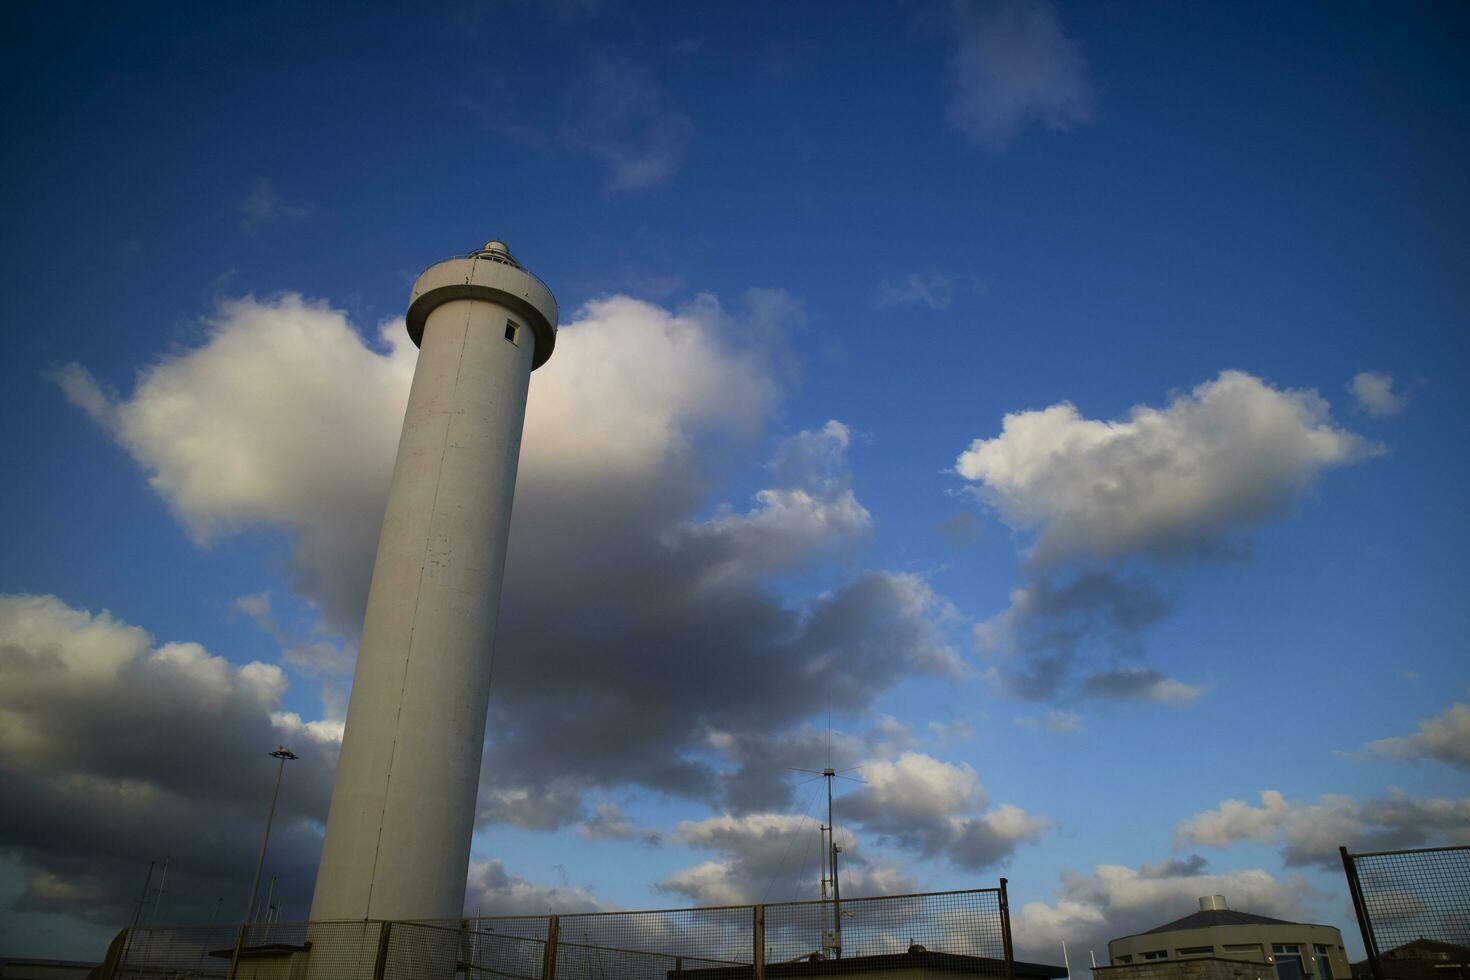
1012	65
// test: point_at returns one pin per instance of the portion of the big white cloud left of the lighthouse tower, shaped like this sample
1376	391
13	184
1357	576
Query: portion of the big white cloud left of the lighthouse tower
282	418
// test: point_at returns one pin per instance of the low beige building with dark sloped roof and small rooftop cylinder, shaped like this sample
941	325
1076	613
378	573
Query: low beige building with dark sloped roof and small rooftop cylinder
1222	944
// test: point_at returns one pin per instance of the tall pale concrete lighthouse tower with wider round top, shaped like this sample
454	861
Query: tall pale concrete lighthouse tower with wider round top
404	807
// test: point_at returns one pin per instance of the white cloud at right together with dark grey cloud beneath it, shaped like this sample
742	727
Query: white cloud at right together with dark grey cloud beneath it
1099	502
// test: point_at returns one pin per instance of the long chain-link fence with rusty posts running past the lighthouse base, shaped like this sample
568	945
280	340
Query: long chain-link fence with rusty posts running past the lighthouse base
949	932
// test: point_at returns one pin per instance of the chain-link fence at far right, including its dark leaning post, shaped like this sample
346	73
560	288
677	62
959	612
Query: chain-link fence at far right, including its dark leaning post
1412	906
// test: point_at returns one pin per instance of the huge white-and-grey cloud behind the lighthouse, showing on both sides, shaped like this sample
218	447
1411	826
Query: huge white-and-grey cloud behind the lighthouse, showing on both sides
642	638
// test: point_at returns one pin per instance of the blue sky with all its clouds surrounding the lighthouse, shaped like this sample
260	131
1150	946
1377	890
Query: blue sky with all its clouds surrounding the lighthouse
830	284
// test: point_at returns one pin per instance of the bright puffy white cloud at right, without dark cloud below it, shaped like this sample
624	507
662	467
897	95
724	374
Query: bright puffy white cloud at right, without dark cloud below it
1230	453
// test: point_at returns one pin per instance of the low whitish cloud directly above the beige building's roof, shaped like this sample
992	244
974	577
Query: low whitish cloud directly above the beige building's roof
1089	910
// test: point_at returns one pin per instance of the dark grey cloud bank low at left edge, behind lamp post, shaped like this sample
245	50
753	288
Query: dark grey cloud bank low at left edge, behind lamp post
115	752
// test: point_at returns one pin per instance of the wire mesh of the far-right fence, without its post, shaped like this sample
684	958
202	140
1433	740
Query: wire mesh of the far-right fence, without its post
1415	896
